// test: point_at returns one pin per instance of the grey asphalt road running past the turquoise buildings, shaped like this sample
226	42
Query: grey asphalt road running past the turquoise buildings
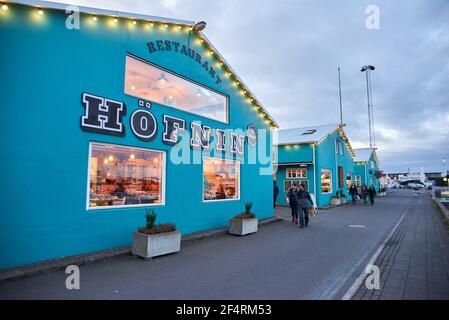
281	261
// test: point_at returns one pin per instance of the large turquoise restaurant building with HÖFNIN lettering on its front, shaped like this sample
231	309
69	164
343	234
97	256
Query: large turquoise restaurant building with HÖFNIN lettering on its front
106	114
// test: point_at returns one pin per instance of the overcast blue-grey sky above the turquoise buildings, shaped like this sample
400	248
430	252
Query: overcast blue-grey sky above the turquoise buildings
287	52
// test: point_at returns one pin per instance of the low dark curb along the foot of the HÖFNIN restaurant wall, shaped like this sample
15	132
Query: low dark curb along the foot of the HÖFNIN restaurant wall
59	264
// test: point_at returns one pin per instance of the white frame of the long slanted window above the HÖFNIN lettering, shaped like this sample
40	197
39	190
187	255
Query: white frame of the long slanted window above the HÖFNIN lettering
179	76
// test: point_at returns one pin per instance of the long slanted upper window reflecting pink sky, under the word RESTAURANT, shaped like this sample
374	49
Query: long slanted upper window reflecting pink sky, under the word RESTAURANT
148	82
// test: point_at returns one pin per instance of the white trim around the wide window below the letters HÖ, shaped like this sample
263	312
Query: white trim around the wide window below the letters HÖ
163	179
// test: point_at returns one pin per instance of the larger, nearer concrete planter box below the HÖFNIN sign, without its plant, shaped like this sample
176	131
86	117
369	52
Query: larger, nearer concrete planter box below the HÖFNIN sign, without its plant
148	246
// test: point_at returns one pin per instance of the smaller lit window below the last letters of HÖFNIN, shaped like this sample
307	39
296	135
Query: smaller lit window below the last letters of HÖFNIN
221	179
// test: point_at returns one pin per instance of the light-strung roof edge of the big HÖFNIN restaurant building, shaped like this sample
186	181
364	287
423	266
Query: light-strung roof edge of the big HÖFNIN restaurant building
238	83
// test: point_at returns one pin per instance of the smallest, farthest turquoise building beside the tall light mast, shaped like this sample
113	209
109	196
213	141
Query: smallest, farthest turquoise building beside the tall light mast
367	168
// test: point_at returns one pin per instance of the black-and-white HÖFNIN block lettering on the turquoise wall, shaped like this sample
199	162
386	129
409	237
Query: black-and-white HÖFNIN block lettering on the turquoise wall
103	115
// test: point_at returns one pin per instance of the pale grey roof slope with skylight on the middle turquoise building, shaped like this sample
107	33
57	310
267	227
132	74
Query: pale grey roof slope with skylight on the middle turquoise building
305	134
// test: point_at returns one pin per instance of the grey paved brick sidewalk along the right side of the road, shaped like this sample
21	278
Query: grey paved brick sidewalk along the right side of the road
415	262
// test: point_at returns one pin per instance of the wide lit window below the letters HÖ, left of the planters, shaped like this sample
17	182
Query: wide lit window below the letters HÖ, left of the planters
125	176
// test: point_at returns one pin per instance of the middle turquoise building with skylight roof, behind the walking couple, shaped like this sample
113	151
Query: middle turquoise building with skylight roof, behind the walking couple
320	157
